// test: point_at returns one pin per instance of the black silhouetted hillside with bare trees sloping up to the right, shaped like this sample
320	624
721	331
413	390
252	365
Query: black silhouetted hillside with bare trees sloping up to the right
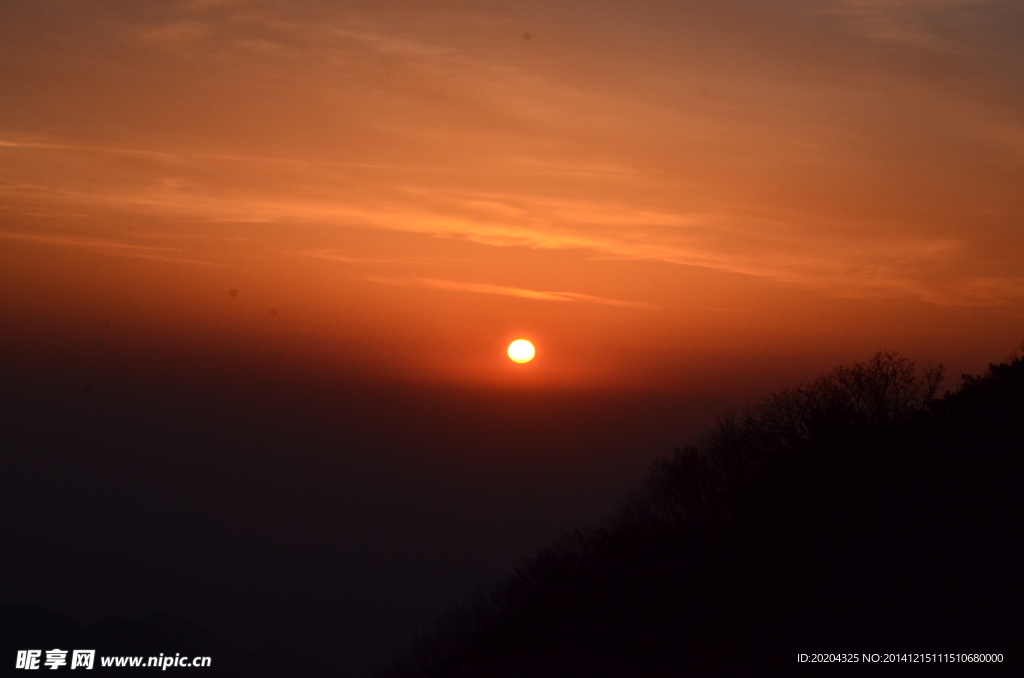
857	515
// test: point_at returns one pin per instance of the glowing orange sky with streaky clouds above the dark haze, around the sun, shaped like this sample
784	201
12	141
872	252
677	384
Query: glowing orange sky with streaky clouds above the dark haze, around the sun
657	193
